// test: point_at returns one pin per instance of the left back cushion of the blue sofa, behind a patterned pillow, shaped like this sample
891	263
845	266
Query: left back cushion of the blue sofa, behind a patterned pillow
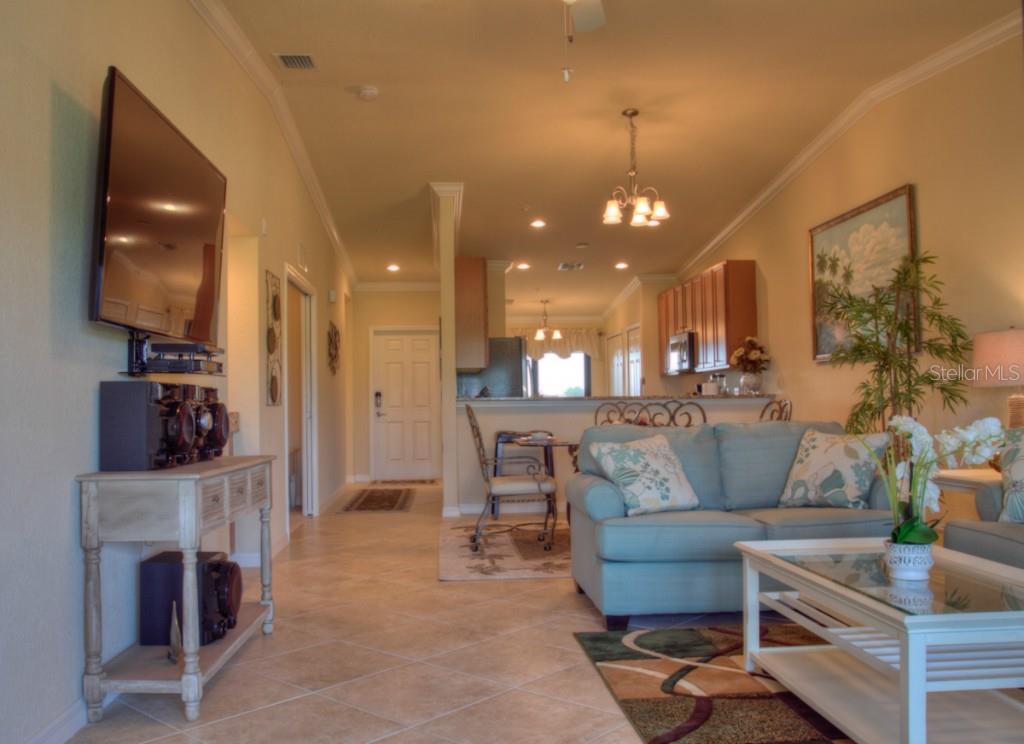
697	449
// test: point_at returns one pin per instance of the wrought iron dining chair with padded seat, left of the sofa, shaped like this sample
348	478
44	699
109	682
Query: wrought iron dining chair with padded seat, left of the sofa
534	486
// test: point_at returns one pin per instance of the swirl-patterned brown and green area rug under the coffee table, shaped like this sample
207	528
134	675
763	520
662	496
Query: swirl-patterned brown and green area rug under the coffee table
689	685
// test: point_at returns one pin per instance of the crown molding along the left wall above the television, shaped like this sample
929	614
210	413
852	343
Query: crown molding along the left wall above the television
234	38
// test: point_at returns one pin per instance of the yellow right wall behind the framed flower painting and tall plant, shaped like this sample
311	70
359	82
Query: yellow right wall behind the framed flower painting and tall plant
959	138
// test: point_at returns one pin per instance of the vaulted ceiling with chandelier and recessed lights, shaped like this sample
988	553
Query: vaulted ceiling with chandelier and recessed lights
472	92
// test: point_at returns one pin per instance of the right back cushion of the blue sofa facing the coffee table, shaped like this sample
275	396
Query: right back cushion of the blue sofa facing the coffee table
756	459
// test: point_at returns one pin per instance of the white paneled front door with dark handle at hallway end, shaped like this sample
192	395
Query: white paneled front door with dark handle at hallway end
405	407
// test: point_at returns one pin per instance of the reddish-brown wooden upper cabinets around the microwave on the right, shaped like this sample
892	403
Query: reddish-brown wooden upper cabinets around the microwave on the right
719	307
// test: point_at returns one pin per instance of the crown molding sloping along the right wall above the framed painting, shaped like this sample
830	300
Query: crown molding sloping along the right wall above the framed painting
970	47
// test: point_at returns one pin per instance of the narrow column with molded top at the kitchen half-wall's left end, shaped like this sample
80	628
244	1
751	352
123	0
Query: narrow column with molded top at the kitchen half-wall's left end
446	202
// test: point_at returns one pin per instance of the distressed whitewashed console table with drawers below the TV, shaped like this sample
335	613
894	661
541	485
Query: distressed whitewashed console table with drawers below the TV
178	505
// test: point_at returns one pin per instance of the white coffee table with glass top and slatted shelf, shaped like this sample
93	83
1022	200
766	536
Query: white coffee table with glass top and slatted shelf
889	644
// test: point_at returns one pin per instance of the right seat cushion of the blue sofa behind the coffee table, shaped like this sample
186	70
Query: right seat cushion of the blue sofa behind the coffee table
798	524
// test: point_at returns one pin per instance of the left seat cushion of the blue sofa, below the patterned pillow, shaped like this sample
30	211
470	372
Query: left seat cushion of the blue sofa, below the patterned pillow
703	536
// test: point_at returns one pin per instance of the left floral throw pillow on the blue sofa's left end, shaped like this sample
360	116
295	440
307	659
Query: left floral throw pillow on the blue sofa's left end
649	473
